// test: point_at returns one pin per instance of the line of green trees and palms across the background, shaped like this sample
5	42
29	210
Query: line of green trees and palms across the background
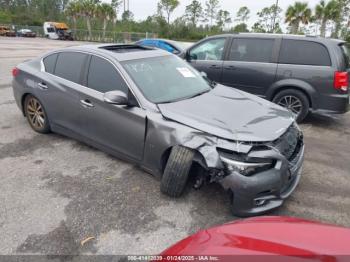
201	17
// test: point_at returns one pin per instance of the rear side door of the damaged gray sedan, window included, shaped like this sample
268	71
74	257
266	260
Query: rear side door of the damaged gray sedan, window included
60	88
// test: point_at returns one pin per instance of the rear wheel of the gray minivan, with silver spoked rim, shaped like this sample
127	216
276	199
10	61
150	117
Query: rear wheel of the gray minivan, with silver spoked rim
295	101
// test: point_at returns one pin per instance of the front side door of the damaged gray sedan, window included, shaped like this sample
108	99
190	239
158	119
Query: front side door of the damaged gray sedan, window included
118	128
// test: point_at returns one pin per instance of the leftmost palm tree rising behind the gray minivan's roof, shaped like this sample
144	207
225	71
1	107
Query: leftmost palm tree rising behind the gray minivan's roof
296	14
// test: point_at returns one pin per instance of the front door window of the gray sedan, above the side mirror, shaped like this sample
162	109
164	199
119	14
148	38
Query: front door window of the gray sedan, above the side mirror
103	77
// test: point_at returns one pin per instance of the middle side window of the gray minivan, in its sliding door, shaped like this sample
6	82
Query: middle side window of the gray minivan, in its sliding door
252	50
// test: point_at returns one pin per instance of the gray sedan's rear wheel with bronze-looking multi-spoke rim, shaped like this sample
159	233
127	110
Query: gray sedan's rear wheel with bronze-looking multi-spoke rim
36	115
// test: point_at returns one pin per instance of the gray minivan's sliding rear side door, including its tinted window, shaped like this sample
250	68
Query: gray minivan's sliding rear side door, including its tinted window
251	64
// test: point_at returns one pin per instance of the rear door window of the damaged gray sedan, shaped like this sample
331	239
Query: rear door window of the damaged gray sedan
69	65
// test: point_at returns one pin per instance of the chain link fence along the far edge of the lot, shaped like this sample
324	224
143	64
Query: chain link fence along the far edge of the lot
96	35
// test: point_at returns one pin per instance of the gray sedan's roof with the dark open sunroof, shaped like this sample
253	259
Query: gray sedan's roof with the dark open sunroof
120	52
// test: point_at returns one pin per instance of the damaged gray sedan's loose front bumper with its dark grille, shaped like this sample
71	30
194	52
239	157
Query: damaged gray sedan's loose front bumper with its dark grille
267	189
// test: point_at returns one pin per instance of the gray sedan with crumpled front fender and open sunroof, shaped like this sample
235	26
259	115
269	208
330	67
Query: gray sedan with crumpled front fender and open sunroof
153	109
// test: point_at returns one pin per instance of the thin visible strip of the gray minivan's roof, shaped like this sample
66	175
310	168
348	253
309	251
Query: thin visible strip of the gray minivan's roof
283	36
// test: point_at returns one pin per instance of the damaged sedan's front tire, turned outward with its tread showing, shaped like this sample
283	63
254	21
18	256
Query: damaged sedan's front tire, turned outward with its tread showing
177	171
